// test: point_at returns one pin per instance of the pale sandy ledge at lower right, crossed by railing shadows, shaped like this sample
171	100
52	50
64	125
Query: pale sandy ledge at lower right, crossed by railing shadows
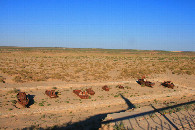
147	118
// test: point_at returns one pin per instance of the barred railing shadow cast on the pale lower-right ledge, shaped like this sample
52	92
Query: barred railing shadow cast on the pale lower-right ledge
175	120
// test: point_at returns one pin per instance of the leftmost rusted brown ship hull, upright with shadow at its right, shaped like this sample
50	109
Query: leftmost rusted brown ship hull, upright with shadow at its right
22	99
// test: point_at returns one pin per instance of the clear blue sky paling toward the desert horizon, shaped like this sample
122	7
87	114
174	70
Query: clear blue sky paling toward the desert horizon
115	24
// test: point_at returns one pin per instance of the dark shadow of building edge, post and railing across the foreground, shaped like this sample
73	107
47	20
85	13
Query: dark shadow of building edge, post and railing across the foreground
95	122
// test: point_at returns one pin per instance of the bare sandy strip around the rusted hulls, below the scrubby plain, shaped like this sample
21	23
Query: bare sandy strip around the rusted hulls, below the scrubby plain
69	108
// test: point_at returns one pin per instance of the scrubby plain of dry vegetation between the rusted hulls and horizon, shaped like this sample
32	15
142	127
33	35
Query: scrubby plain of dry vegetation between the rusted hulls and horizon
41	64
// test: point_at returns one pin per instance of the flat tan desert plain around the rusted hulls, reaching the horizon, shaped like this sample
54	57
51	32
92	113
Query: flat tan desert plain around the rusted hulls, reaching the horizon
35	70
